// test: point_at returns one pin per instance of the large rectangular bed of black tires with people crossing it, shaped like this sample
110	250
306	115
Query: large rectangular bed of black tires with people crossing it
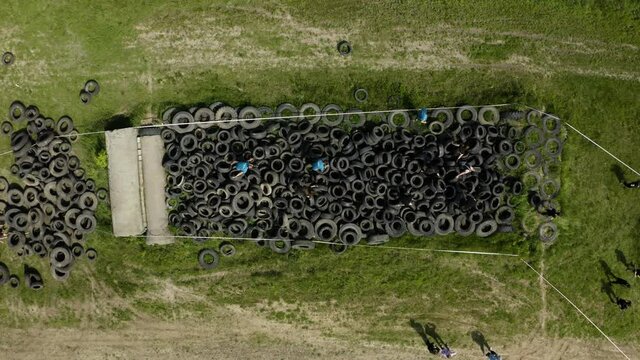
387	175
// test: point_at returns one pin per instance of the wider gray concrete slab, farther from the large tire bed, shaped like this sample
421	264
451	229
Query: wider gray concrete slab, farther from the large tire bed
124	182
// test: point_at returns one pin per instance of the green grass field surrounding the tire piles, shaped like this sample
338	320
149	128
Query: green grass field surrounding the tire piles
577	59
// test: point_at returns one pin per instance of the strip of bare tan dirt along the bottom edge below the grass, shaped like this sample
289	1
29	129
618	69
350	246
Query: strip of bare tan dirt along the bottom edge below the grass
238	333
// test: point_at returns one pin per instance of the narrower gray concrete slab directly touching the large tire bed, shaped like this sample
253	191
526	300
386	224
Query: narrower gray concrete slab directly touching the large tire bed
154	181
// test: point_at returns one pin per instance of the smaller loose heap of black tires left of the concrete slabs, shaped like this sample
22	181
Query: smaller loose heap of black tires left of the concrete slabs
53	211
